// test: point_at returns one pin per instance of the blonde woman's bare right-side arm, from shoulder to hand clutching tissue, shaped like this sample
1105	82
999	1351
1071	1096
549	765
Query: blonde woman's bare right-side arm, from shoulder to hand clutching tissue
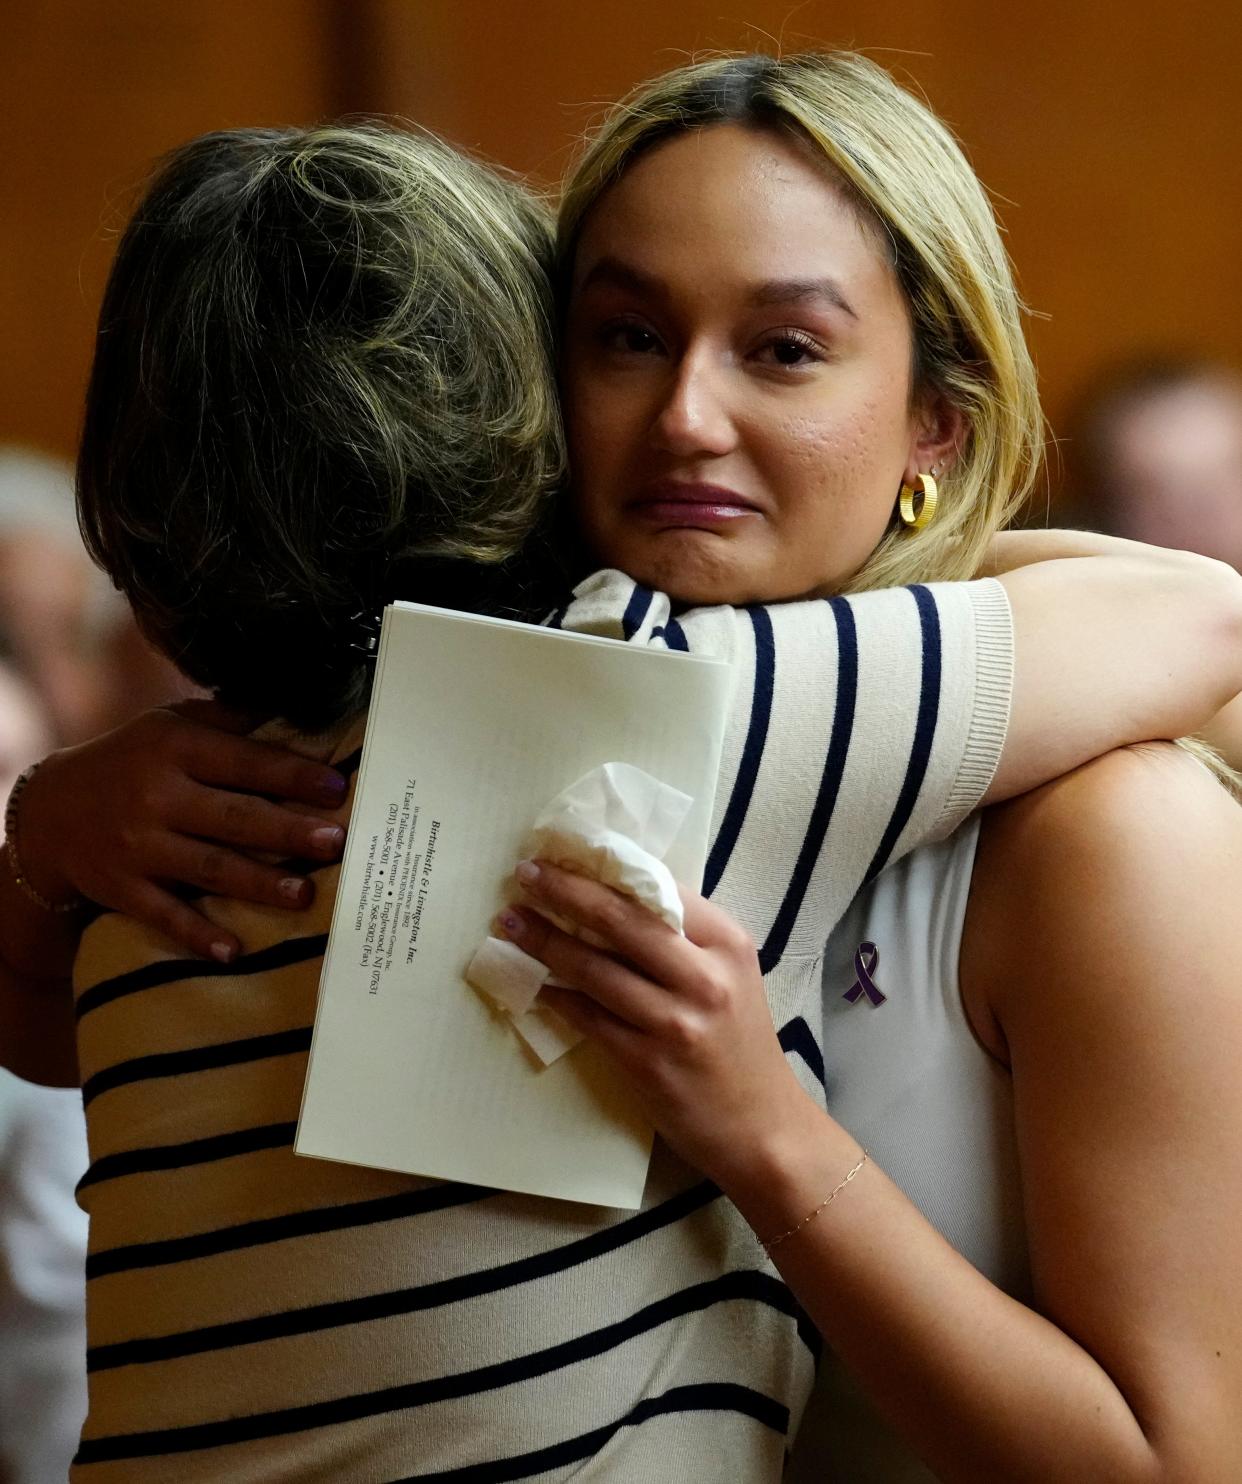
1124	1032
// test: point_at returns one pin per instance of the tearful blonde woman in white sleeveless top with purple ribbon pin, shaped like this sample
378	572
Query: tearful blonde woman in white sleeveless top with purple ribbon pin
1039	1041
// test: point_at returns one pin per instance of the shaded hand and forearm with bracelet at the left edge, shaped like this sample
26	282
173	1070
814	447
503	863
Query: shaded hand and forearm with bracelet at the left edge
118	821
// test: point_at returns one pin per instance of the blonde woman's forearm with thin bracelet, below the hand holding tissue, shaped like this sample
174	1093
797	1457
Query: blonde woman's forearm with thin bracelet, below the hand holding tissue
982	1387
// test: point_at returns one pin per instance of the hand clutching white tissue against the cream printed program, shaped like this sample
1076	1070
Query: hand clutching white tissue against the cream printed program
685	1019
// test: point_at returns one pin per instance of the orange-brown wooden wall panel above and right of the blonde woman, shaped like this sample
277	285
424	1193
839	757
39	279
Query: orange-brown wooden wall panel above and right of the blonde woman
1109	134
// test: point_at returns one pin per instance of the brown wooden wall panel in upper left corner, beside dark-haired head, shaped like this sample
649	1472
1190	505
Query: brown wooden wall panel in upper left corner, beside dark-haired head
93	94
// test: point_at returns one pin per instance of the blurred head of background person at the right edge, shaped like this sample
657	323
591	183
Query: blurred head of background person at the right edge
1155	455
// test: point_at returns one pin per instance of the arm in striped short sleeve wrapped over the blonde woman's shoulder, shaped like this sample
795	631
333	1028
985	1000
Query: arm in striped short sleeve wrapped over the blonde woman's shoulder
891	716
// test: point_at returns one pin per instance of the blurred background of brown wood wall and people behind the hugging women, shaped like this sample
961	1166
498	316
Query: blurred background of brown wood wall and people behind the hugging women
1108	134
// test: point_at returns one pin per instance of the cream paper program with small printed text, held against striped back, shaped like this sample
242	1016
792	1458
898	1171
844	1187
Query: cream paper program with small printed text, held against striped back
474	726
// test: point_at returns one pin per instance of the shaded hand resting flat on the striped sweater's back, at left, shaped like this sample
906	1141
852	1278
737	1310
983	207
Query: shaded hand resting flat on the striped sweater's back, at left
160	802
